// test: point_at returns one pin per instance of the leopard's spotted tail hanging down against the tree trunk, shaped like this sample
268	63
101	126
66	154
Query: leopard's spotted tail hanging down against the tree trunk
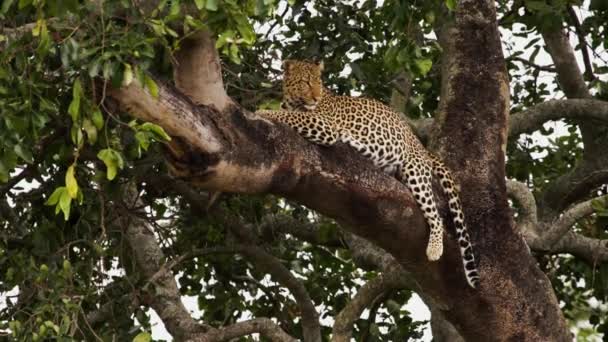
464	242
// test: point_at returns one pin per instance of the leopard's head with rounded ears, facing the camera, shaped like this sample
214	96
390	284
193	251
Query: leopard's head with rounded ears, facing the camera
302	84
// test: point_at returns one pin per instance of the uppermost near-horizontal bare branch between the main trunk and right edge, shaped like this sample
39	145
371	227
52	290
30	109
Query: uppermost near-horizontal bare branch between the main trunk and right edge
534	117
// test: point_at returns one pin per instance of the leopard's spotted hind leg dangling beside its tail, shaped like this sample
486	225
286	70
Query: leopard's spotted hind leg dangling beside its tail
417	177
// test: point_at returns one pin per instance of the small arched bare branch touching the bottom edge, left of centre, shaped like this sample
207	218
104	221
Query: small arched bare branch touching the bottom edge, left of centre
263	326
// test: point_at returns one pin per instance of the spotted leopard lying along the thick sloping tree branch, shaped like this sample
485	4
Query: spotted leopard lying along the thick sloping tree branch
381	135
